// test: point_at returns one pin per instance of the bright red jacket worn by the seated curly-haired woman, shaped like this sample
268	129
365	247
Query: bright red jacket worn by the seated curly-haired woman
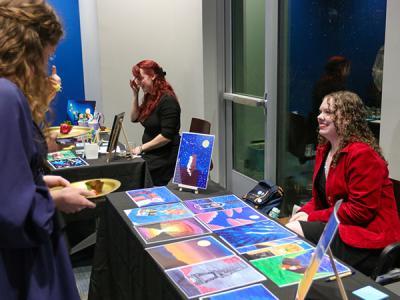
368	215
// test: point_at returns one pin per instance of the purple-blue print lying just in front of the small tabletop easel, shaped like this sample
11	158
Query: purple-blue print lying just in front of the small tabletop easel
198	206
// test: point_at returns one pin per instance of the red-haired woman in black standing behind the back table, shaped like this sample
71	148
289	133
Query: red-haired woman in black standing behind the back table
159	113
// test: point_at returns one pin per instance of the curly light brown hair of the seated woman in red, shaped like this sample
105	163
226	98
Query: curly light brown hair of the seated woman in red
350	120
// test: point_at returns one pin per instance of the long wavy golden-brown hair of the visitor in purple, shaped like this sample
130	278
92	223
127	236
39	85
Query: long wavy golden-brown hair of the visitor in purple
27	28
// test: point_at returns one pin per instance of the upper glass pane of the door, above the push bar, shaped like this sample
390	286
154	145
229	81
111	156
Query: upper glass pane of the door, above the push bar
248	43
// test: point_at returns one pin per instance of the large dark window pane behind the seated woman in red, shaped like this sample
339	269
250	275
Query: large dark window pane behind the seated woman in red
314	37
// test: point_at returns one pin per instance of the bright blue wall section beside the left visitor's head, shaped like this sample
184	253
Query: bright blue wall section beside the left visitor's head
68	59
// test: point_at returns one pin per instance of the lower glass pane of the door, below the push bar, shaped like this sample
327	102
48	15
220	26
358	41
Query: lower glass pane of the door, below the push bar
248	140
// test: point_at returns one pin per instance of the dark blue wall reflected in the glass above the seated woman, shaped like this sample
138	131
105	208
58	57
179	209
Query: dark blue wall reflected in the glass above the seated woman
320	29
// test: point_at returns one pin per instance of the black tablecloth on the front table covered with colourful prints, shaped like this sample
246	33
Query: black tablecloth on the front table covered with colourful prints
122	269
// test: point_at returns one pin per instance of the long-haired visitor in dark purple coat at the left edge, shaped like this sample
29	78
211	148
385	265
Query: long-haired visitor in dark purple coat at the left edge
34	261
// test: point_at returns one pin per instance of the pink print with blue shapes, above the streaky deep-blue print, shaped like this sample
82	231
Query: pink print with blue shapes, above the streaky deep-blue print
230	217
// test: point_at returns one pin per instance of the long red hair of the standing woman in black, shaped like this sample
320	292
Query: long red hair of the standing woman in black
161	87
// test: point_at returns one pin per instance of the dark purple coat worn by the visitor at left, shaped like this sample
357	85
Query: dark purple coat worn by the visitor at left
34	262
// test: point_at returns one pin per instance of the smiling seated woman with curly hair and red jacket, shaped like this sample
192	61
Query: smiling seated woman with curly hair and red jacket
349	165
